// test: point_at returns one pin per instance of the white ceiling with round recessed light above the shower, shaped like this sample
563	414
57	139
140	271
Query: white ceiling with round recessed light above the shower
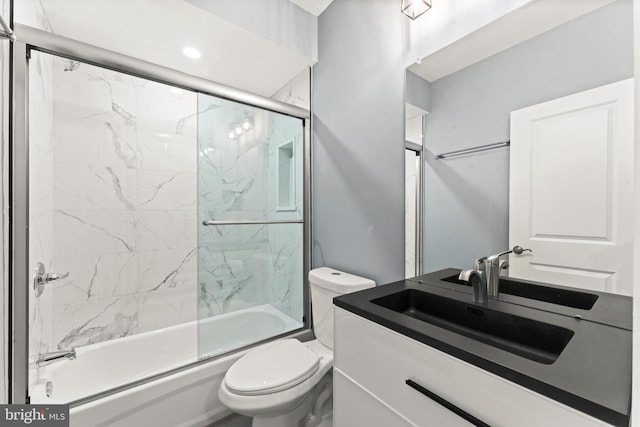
158	30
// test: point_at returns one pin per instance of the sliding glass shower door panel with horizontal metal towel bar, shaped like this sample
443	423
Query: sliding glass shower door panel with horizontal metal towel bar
251	225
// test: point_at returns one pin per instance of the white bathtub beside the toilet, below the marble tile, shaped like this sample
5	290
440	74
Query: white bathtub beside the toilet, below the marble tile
186	398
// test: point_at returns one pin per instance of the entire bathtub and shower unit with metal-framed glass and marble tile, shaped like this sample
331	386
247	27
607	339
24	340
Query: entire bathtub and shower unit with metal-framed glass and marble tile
160	224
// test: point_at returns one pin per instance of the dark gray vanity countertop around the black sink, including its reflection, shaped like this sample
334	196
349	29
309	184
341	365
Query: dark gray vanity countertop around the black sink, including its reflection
592	374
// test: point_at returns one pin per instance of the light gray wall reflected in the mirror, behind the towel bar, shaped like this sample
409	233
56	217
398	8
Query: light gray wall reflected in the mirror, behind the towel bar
466	198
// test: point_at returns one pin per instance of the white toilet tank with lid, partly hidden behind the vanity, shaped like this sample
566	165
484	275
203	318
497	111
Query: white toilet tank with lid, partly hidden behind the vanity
327	283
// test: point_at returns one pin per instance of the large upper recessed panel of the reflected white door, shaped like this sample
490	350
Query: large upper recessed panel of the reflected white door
556	171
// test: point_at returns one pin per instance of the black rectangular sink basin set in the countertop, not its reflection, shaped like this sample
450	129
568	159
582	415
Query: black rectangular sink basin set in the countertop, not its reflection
537	341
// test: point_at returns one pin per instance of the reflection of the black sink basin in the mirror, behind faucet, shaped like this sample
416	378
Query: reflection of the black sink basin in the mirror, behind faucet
575	299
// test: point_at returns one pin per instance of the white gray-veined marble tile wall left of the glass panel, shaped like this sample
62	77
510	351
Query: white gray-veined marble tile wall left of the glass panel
115	195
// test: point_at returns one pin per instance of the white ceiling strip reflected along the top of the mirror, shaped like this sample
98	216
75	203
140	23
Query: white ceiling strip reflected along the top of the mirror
509	30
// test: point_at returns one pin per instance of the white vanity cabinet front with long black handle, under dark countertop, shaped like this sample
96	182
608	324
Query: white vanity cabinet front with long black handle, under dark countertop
383	378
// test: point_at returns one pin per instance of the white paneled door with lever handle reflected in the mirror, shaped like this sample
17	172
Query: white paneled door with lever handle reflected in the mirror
571	194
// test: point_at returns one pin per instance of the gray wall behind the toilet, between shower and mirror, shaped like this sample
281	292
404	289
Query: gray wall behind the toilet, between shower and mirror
358	129
